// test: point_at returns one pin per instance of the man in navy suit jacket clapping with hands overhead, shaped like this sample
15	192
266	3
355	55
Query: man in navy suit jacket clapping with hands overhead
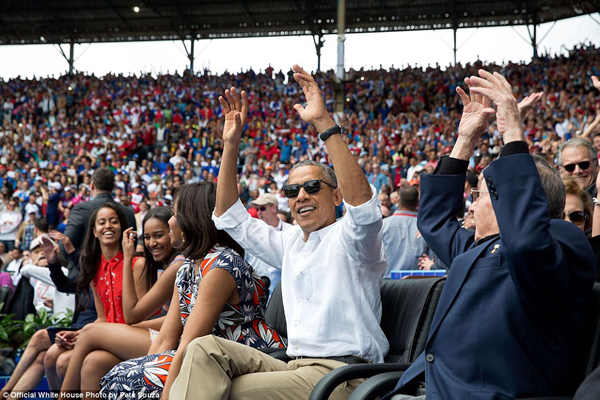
517	289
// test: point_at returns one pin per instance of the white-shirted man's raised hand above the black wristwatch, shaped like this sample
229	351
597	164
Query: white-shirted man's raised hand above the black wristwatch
314	112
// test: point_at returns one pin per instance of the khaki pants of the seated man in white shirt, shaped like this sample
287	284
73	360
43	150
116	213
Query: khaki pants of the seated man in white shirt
220	369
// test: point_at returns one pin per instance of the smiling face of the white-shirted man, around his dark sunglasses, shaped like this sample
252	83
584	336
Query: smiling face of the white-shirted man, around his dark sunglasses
313	211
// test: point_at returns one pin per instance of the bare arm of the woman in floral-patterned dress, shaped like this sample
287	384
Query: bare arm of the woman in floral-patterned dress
215	289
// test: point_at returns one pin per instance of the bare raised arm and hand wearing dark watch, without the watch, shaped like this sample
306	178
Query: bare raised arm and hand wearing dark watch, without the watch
352	180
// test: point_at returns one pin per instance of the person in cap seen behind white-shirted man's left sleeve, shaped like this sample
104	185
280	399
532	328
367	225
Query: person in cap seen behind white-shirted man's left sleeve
266	207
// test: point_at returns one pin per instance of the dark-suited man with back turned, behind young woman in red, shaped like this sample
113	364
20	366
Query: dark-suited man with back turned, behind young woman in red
103	183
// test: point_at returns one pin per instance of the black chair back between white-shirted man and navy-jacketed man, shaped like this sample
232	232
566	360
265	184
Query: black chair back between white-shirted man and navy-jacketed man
408	308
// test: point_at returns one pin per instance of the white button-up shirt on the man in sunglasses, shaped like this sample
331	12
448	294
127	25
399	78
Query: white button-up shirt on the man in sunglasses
330	283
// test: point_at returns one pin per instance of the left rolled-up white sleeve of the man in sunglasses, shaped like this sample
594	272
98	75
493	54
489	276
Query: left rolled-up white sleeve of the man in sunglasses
255	236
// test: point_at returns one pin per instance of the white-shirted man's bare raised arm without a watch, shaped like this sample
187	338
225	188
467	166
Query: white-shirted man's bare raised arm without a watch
235	109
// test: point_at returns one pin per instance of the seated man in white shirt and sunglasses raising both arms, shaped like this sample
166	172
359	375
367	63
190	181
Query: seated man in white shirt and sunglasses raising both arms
331	271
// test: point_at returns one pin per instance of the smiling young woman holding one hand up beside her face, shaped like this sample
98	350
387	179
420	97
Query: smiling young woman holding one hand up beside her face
147	287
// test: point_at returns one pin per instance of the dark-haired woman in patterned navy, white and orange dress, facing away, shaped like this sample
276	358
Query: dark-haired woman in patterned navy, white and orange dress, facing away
217	292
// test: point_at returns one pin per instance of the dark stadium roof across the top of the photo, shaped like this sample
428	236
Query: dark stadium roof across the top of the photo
89	21
